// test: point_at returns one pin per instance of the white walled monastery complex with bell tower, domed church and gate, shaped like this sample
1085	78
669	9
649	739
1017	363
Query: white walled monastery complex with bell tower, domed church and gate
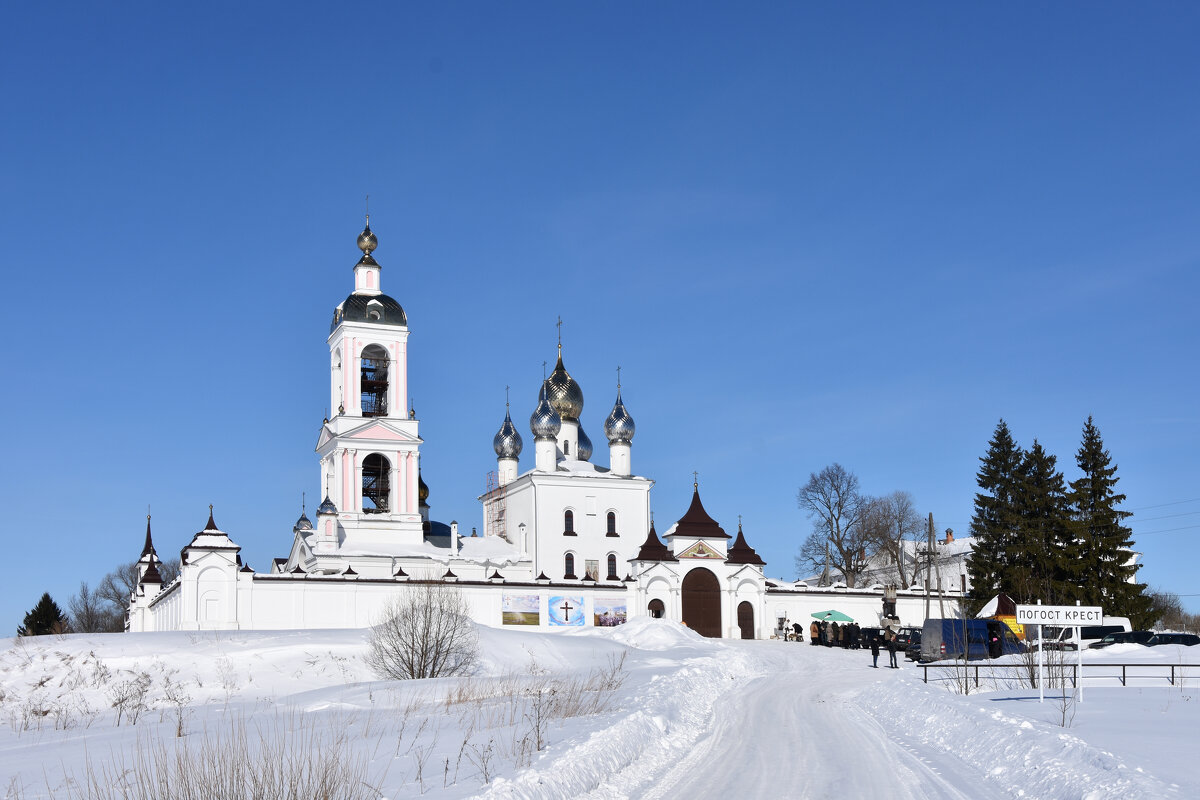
566	544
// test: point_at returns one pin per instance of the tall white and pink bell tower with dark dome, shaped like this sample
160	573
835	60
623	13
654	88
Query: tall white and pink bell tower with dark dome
369	449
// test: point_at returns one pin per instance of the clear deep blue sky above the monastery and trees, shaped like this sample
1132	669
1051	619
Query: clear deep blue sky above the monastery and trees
807	233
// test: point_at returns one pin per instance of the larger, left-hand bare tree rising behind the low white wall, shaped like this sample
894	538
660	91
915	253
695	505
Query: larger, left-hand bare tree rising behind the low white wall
837	509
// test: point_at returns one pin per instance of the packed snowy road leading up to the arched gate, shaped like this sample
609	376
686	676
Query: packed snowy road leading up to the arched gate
819	742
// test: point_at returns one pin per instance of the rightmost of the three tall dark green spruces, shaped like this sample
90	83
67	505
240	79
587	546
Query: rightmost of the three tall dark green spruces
1106	575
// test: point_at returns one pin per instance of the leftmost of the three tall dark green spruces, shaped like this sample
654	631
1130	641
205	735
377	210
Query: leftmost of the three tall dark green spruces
995	522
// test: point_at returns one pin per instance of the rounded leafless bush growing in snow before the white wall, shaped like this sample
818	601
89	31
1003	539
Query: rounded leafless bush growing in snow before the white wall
425	633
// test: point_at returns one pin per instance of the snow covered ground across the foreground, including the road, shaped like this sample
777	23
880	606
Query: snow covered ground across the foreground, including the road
644	711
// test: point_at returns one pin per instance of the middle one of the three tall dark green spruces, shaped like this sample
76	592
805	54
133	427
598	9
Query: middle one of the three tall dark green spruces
1043	554
